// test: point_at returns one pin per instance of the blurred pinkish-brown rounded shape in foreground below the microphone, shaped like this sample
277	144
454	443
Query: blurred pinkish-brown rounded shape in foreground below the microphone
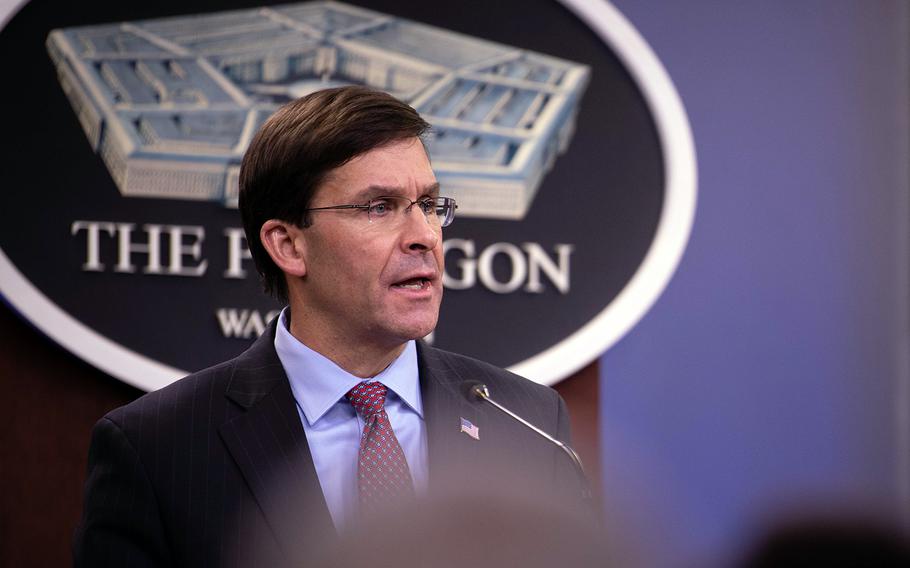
480	530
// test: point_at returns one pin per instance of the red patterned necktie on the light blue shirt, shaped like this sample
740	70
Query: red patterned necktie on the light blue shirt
382	473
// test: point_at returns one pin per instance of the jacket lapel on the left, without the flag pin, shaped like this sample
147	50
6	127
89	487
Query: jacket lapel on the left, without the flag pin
269	446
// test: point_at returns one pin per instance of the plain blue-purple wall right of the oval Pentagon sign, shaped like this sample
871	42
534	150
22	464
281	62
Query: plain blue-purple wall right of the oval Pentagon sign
771	376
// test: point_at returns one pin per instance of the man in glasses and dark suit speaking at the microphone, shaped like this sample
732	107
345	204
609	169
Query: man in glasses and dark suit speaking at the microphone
336	411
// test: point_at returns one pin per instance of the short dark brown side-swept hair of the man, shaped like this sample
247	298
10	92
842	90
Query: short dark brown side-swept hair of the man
302	142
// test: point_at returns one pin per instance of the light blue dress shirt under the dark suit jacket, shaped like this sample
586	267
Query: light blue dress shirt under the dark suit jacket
333	428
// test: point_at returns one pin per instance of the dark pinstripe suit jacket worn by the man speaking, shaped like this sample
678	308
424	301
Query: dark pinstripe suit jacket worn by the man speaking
214	470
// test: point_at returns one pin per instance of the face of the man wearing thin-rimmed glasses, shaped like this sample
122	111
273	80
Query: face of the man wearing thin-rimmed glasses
371	281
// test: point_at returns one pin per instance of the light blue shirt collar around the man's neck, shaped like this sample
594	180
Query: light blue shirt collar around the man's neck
318	383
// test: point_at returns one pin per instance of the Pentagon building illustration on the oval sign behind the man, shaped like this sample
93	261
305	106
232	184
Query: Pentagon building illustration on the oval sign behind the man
171	104
